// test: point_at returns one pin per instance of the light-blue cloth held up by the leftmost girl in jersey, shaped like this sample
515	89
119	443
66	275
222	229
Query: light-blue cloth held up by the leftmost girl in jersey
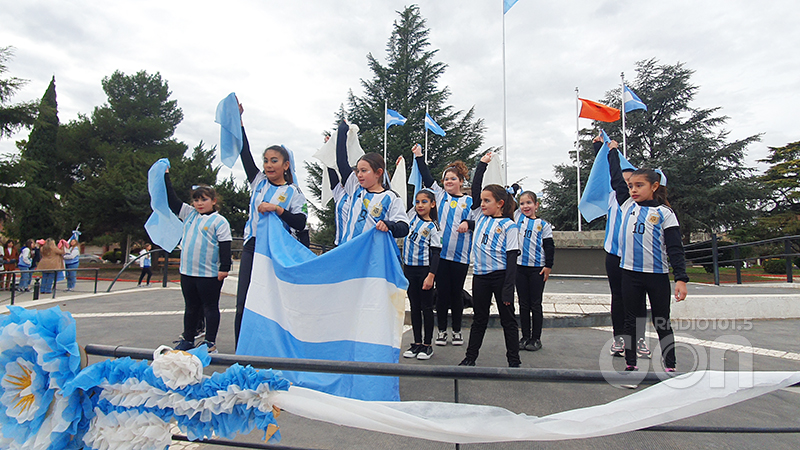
164	227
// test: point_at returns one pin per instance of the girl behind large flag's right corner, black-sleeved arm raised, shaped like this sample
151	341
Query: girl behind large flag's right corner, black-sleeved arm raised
366	199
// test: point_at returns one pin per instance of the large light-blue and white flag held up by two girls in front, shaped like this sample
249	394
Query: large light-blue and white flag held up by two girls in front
345	305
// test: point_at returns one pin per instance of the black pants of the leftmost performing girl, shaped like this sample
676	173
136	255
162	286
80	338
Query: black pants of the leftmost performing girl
201	297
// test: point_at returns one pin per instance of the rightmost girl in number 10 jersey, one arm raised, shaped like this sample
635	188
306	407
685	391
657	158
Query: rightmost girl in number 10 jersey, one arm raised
650	234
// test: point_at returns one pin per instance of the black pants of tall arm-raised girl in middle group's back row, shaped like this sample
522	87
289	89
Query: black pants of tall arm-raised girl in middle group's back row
450	278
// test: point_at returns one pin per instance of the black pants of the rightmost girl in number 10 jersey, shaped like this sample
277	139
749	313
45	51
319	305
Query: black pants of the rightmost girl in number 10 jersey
635	286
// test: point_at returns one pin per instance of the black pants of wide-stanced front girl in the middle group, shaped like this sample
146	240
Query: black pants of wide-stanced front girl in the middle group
483	287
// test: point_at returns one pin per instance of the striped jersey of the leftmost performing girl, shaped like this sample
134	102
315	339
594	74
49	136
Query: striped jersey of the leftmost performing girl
202	234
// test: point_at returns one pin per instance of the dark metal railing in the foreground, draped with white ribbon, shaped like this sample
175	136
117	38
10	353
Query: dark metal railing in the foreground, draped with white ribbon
455	373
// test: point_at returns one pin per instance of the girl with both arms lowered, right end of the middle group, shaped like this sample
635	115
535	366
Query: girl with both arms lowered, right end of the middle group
535	263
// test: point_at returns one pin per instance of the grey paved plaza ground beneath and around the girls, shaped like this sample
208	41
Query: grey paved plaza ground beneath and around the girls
149	317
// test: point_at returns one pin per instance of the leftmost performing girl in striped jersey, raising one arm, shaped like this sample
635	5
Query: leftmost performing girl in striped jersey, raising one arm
205	261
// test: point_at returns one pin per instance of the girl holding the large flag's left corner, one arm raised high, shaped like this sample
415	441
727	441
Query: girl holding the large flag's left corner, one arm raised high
271	190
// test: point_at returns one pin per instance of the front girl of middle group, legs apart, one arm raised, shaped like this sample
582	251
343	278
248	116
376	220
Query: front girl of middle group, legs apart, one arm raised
495	250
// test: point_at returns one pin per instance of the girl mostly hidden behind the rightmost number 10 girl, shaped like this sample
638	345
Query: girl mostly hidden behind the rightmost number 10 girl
613	271
